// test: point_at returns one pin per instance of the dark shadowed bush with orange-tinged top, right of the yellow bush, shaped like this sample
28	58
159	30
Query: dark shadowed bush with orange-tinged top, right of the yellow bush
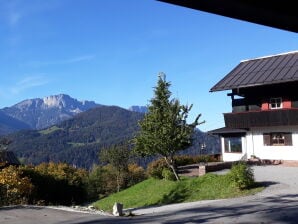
57	183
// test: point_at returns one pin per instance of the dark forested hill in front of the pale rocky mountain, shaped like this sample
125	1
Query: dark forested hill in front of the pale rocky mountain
77	141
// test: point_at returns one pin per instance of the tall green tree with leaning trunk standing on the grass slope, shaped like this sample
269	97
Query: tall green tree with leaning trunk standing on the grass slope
164	129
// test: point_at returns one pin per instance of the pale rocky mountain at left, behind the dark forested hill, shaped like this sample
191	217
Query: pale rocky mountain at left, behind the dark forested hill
41	113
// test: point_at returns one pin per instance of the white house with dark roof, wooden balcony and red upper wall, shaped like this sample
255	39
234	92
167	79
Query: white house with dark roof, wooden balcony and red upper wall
264	117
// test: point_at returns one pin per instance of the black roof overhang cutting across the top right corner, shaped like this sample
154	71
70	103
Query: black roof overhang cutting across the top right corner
274	13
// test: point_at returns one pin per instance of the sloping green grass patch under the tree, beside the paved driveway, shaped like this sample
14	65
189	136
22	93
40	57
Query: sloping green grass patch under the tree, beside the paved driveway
161	192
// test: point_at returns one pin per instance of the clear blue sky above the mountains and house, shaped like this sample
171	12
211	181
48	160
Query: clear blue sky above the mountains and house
111	51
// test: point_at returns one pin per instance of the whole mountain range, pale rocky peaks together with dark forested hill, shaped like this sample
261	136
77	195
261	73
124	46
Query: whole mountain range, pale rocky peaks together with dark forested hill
72	131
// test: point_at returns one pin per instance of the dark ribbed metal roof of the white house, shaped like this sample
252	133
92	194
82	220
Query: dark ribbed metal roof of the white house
268	70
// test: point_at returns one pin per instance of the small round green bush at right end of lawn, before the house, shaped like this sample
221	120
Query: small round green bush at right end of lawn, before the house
241	176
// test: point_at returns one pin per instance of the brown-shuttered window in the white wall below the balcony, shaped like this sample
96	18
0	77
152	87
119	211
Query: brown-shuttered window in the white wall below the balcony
277	139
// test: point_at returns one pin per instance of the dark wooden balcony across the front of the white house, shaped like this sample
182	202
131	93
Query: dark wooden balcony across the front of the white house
281	117
